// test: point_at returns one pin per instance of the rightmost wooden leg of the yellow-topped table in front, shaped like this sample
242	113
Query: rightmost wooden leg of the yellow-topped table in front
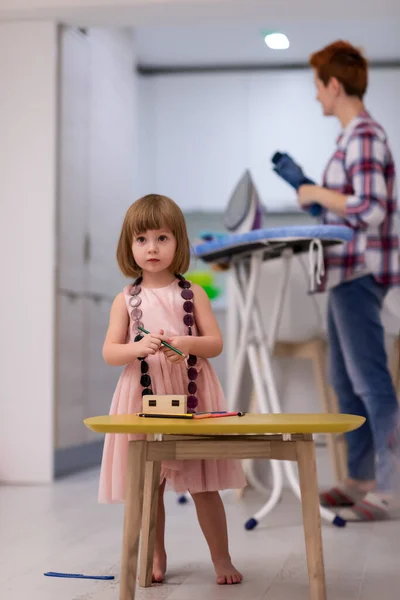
311	518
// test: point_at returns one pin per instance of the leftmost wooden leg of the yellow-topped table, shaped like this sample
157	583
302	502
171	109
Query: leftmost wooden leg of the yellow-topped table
132	518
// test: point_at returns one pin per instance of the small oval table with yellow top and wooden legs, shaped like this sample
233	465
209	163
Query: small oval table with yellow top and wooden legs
270	436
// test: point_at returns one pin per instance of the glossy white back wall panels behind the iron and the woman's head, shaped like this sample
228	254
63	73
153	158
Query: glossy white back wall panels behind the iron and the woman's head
201	131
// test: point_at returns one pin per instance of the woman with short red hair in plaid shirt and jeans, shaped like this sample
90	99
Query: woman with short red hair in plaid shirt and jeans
359	190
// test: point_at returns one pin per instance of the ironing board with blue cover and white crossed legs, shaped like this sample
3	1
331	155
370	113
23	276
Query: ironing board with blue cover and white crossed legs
245	254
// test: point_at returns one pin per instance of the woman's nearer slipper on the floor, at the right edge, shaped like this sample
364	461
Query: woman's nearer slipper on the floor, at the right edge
372	508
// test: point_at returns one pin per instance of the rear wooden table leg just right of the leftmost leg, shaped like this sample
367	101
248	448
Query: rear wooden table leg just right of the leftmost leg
149	522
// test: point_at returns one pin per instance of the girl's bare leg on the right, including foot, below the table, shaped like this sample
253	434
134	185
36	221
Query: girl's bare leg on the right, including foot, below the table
212	520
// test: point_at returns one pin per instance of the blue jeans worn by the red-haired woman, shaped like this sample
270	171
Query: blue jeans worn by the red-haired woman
361	378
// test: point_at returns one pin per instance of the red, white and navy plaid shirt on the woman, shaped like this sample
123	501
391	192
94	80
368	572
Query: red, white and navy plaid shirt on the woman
362	168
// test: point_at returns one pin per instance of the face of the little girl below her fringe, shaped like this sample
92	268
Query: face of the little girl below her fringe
154	250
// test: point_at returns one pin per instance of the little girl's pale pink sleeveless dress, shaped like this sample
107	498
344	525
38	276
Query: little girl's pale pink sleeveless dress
163	309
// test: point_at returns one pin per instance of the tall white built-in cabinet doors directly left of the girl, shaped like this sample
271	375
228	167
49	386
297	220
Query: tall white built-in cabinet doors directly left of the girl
97	184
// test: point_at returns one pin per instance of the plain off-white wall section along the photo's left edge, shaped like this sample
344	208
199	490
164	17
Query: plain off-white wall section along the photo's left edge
28	84
